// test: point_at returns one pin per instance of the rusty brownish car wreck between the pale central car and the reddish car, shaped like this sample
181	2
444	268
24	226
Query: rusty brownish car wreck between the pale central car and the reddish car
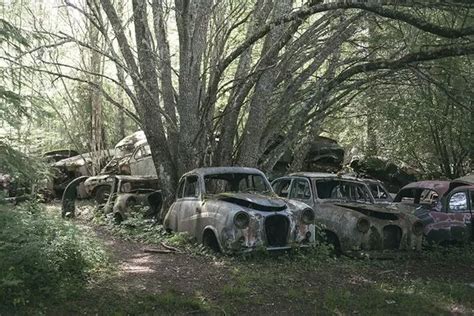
351	220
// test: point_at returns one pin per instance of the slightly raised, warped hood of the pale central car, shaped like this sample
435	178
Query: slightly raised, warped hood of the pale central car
254	201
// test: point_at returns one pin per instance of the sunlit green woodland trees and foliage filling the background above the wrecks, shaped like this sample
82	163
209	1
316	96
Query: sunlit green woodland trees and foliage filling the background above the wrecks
241	82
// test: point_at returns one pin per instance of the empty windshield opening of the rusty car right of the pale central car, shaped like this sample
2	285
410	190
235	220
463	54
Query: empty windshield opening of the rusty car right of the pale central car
342	190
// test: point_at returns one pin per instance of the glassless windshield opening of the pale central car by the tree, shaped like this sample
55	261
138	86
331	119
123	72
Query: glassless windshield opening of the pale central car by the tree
236	182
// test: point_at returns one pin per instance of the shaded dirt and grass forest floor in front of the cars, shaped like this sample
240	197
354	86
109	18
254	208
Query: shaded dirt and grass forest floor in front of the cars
435	282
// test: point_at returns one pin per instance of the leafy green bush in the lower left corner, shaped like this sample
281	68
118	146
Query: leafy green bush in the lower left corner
43	258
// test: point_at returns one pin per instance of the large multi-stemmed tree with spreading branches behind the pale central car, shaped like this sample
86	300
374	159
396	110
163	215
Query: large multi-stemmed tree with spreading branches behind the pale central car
239	82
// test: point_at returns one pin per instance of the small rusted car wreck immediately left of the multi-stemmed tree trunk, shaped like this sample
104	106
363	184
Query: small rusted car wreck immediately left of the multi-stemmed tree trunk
133	193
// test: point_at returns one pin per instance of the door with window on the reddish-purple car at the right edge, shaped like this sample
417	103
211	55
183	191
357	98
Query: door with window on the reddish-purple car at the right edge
459	210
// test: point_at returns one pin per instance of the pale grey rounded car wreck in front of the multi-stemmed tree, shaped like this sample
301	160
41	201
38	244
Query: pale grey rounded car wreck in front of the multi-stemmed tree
234	209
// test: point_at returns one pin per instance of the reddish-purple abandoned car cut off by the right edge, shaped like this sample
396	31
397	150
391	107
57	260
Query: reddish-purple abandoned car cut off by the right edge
444	207
